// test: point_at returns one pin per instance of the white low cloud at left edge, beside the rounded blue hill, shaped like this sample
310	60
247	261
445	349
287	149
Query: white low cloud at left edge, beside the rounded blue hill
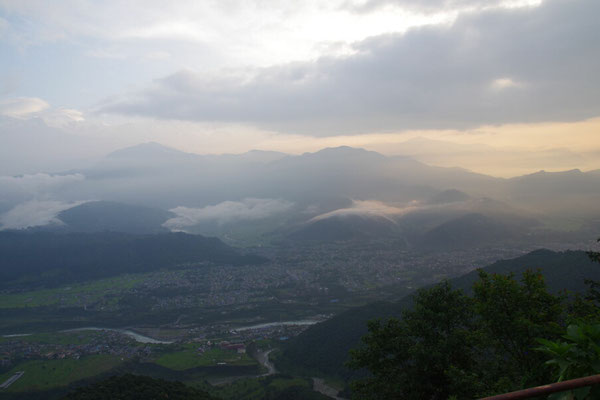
34	213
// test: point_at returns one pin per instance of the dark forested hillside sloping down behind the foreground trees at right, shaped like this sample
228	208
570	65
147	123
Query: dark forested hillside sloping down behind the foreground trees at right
323	348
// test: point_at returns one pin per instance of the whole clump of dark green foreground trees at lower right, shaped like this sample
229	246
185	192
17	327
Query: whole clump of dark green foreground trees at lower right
454	345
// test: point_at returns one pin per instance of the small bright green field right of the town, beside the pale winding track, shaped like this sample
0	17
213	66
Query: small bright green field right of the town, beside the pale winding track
187	357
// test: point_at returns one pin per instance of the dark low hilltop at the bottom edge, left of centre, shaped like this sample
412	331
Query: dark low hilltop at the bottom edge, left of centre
133	387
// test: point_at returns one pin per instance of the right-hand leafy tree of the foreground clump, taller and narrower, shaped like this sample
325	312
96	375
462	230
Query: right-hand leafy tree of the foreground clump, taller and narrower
510	317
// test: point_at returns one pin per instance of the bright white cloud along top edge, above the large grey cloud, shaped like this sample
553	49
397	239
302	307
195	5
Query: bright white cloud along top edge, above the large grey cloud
207	33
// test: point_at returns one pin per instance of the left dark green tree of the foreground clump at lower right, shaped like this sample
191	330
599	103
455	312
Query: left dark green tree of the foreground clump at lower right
426	355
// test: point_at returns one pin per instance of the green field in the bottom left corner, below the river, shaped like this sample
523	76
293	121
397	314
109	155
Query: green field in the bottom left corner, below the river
49	374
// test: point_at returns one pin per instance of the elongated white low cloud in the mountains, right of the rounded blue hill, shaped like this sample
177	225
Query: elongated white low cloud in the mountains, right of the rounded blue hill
227	211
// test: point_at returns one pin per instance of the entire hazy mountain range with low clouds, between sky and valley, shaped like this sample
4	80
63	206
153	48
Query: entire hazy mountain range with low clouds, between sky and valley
297	197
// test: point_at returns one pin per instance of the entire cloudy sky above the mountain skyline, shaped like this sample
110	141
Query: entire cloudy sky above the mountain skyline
499	87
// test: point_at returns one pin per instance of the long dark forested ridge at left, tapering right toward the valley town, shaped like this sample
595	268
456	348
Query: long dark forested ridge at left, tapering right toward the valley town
50	259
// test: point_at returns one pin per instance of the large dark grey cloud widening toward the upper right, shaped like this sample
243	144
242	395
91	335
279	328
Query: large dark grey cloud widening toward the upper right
492	67
